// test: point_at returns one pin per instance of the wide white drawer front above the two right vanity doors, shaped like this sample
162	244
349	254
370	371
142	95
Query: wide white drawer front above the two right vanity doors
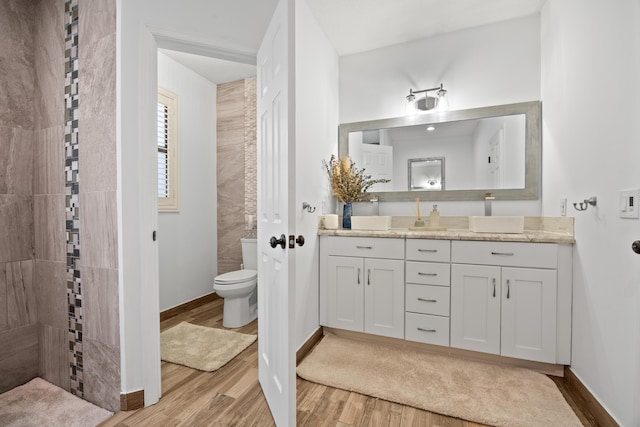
540	255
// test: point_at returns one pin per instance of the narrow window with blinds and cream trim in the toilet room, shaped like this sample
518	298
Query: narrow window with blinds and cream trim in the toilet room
168	151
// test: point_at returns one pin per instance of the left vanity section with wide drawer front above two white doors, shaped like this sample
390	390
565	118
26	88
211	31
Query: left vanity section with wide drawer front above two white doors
362	284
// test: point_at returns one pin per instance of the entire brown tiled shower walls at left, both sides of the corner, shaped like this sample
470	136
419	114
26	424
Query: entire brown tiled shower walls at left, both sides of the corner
78	334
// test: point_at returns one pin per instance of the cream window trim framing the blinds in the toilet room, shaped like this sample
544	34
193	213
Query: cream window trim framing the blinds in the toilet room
172	202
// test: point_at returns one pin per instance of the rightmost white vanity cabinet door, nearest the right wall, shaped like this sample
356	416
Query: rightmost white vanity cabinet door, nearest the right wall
529	314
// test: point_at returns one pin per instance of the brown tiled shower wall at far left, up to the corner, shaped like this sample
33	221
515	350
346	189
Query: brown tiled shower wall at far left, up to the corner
18	317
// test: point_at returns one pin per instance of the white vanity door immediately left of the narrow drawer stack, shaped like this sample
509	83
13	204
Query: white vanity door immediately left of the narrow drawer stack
384	297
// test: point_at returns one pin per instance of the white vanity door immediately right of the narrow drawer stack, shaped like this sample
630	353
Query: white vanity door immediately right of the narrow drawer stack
475	307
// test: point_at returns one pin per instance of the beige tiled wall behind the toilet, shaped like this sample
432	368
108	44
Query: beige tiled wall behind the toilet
236	169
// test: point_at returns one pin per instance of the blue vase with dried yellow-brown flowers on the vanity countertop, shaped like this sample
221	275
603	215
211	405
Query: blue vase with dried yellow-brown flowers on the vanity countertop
348	183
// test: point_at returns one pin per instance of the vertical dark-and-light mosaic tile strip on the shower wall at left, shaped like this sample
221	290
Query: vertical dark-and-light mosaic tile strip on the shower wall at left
72	193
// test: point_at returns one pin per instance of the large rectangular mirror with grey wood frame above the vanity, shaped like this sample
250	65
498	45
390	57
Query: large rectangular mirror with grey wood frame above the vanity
493	150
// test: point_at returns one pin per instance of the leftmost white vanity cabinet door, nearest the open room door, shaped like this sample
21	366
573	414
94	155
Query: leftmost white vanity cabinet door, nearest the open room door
345	293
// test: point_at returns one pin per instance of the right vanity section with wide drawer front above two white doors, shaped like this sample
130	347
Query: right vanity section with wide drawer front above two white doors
504	298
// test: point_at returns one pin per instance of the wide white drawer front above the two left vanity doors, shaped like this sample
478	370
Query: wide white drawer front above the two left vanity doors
368	247
